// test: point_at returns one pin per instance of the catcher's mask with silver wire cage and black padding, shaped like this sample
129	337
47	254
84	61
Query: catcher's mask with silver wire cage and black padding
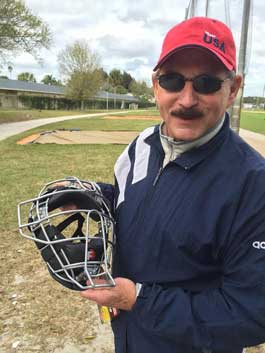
77	243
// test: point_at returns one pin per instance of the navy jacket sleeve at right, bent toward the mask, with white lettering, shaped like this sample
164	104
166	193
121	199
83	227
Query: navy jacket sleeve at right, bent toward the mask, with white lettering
232	315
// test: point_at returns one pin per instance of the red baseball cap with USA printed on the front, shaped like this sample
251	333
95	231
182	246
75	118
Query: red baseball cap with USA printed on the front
203	32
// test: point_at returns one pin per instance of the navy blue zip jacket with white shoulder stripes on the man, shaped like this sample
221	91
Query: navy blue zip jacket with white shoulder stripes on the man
194	235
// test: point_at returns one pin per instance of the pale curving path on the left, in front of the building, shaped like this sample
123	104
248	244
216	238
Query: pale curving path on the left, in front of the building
10	129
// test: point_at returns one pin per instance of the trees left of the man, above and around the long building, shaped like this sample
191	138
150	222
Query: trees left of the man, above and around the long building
79	67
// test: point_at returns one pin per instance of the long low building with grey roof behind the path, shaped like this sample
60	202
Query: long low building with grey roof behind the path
21	94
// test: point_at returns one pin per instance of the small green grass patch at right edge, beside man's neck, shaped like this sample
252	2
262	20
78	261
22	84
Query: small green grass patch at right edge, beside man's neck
253	121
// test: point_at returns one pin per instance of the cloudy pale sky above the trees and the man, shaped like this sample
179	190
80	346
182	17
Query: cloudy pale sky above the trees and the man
128	34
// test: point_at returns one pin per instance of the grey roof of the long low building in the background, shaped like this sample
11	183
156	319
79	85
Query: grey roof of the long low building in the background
32	87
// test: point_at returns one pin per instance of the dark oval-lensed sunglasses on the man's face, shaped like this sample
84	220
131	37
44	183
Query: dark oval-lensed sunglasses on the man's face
204	84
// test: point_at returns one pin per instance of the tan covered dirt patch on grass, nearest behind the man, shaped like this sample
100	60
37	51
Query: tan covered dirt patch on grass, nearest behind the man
63	137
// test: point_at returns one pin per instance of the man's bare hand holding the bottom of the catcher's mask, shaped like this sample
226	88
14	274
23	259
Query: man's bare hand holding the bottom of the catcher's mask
122	296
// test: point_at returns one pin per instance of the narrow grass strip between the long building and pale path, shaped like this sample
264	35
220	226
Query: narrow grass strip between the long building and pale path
8	116
